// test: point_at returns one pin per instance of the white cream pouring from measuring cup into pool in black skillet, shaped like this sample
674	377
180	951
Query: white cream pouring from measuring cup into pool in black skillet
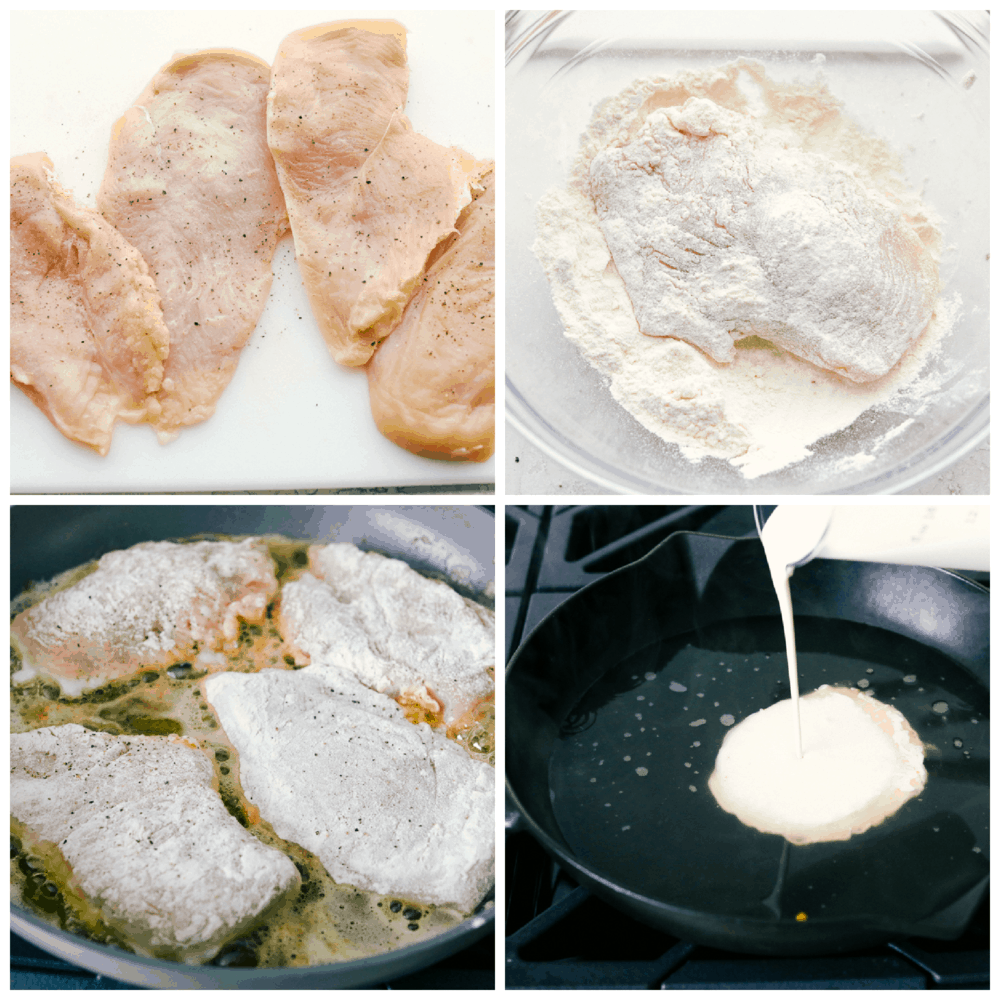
853	760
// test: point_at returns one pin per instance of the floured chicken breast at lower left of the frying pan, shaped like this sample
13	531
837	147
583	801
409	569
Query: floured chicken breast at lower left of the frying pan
148	838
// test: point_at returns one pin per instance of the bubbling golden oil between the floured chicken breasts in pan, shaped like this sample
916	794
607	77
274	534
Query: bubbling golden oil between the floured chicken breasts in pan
325	921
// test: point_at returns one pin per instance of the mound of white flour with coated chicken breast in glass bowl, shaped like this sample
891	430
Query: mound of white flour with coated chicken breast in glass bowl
803	233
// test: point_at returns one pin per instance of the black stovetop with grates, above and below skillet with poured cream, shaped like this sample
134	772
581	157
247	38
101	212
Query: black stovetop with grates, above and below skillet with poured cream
559	935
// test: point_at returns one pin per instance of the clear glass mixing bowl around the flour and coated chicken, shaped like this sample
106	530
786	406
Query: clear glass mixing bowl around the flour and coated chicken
916	79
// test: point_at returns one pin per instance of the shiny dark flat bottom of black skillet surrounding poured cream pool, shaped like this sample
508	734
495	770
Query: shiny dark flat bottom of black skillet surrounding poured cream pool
628	777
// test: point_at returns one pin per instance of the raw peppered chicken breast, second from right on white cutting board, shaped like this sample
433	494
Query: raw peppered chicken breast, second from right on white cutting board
368	198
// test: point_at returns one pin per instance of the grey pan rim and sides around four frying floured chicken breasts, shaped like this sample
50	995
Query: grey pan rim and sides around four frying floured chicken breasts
456	544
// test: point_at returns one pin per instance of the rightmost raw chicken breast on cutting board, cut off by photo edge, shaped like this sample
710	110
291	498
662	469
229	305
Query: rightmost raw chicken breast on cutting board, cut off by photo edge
431	383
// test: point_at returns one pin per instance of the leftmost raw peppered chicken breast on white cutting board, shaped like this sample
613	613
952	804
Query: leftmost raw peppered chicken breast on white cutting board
87	337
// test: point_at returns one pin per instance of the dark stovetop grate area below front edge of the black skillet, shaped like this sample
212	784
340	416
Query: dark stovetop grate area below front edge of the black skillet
559	935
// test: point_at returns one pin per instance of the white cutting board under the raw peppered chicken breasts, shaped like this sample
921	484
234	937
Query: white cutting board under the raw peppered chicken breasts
291	418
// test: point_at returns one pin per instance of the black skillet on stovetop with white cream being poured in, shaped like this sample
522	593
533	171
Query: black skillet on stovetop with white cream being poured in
618	702
